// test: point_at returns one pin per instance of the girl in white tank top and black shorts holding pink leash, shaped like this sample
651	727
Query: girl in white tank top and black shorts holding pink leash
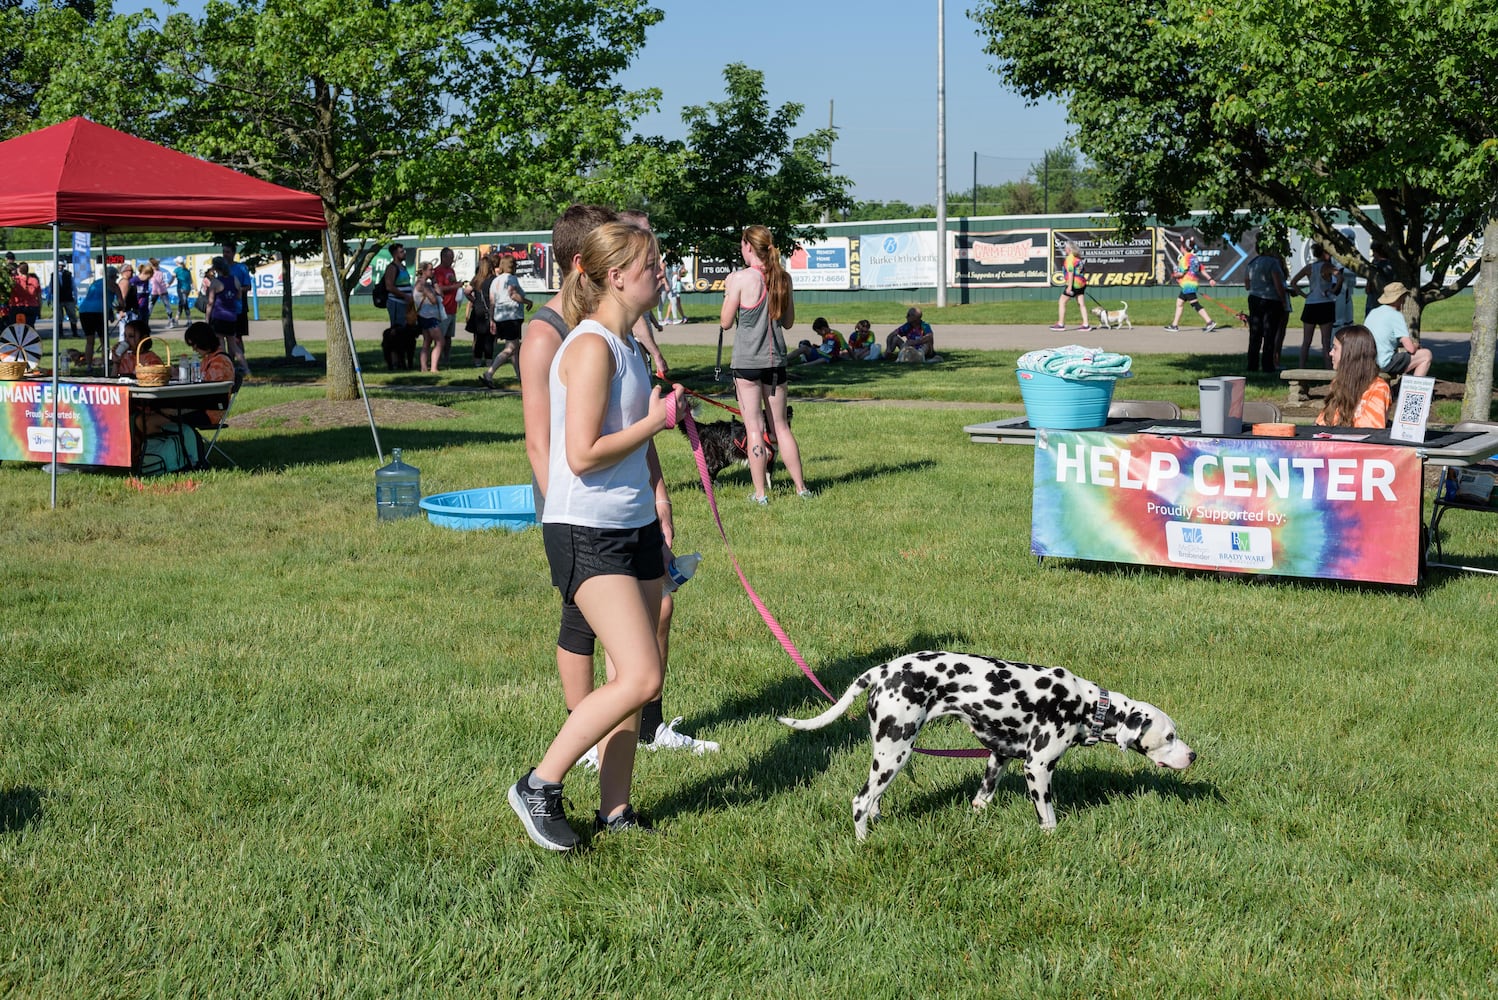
600	520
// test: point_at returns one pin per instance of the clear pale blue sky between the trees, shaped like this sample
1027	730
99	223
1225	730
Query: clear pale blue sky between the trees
876	61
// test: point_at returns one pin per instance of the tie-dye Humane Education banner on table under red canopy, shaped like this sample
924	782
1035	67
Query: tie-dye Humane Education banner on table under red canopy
94	423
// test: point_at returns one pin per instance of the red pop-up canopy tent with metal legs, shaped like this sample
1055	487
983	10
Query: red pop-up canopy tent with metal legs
88	177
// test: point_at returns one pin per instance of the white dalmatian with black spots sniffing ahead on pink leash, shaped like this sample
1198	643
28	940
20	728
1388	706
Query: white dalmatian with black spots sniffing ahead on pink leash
1016	710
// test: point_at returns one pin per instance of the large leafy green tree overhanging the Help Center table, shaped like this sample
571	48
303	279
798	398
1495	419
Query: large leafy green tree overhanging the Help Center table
1301	113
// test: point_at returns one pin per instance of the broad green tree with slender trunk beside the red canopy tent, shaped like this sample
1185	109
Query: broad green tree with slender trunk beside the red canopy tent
402	116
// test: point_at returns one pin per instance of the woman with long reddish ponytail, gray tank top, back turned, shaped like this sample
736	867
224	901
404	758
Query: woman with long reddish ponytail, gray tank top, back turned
759	302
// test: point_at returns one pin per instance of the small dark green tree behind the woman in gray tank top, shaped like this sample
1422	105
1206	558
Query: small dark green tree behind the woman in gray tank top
742	167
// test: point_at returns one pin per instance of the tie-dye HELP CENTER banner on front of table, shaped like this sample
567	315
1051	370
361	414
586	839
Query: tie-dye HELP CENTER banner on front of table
1294	508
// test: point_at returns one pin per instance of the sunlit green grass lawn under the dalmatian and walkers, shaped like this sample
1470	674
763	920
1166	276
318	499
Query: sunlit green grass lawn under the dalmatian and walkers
257	743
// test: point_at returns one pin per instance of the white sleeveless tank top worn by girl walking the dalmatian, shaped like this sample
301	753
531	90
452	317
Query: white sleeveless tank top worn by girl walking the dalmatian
618	496
